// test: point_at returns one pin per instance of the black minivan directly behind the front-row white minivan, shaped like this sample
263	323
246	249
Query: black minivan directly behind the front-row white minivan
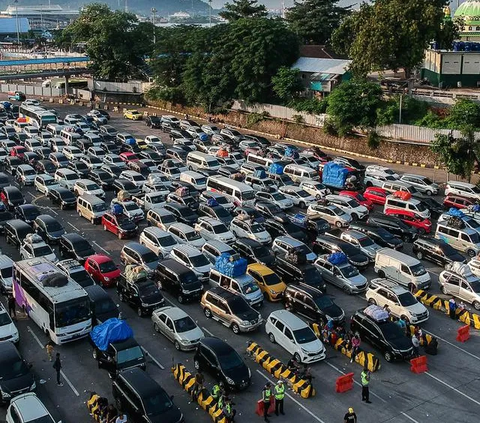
313	304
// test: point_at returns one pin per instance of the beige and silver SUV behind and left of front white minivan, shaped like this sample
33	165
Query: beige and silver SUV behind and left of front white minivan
230	309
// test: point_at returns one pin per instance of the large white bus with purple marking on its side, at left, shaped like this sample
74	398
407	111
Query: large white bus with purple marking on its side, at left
55	302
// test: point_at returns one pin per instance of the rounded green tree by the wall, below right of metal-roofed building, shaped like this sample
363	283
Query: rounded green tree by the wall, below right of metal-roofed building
354	104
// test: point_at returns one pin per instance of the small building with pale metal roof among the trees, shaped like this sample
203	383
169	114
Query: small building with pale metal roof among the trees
321	75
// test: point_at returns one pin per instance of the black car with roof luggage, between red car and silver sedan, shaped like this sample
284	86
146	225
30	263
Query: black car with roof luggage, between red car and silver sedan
143	295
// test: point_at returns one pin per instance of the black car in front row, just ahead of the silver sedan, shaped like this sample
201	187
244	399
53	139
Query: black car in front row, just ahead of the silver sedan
223	362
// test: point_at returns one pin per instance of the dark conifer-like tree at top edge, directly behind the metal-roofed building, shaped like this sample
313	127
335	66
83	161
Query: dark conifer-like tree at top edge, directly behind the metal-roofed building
315	20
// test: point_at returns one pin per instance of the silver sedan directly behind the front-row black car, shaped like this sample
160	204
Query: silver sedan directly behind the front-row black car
178	327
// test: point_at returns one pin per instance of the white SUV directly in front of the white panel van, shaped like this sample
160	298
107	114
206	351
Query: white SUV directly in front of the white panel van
399	300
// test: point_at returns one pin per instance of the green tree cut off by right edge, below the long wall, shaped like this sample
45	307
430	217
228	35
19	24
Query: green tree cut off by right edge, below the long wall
458	155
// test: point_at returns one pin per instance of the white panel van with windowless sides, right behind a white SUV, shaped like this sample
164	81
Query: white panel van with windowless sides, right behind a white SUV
401	268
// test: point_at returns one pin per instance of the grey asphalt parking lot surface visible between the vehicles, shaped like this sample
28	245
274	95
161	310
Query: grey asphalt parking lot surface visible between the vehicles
448	391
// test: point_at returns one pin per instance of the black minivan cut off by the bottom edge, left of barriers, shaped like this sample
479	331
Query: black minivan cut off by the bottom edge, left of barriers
143	399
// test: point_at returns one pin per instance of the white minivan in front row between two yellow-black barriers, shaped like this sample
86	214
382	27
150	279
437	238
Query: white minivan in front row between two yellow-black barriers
295	336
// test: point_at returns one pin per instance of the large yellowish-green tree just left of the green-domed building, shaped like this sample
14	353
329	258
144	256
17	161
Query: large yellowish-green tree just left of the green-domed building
389	34
